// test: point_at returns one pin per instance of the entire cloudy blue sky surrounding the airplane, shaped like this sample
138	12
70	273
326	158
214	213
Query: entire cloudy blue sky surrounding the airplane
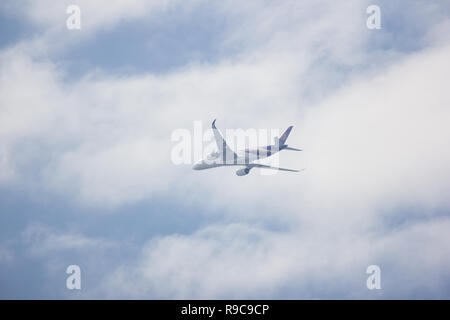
87	178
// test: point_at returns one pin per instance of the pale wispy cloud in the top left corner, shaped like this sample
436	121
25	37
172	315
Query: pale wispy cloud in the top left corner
48	35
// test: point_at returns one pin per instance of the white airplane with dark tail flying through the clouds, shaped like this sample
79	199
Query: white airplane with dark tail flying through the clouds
224	156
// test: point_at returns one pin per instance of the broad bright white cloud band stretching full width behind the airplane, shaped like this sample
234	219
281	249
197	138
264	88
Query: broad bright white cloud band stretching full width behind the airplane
107	139
